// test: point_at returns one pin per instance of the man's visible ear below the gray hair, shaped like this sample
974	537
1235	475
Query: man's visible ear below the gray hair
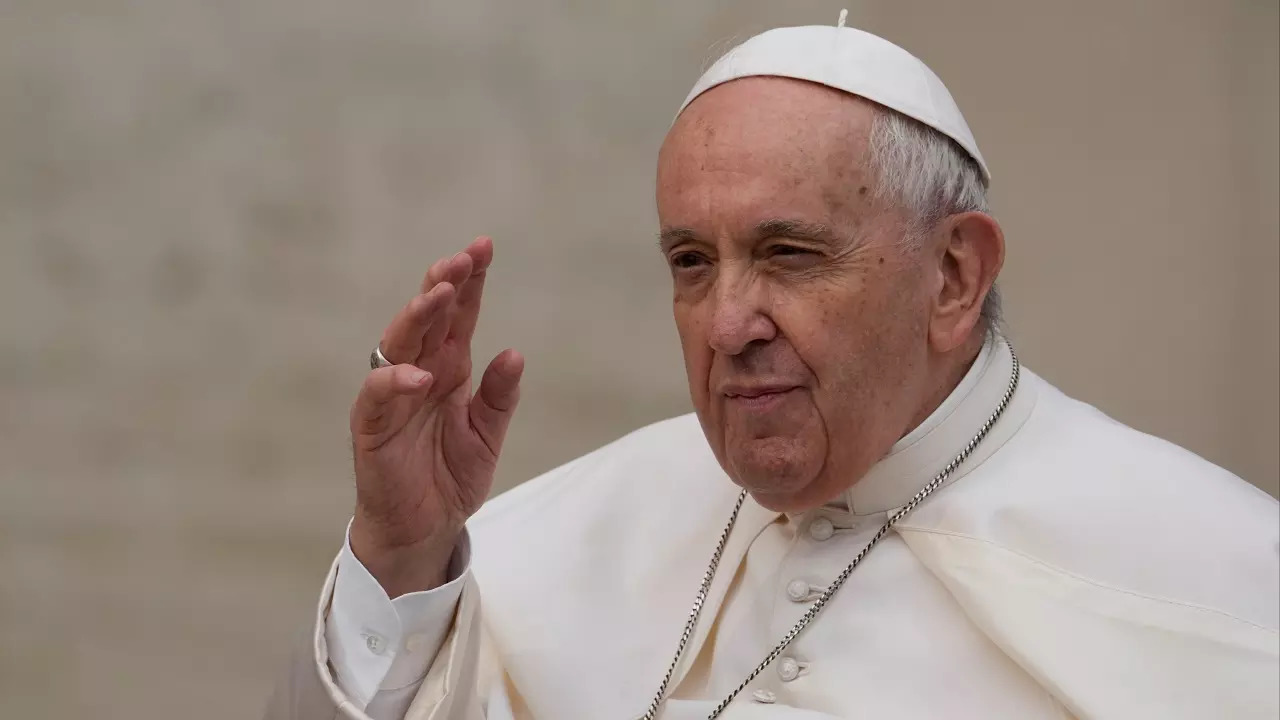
971	252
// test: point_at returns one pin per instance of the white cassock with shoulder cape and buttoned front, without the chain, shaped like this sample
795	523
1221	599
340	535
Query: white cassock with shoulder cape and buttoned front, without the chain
1071	568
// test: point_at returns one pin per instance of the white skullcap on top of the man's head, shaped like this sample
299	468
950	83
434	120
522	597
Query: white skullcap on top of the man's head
852	61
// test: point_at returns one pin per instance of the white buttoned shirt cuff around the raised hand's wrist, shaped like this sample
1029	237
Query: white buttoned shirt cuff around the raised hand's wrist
381	649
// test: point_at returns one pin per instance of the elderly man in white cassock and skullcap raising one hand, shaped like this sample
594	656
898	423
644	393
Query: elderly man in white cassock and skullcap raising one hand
876	512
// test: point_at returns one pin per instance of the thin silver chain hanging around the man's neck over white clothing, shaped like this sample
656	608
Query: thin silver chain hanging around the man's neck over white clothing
652	713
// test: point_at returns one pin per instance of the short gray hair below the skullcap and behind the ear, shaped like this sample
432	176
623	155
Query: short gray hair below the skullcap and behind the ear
932	177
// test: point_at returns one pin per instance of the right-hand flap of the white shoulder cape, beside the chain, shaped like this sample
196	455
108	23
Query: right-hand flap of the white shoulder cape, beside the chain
1091	498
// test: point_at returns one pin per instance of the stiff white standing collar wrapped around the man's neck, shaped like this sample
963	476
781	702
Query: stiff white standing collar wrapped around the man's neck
925	452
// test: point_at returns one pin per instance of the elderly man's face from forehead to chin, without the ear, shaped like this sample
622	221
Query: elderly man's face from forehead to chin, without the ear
803	315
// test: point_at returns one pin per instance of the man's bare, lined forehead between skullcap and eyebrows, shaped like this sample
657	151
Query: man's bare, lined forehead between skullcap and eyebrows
760	148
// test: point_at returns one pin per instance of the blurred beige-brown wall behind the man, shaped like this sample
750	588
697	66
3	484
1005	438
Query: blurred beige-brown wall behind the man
209	212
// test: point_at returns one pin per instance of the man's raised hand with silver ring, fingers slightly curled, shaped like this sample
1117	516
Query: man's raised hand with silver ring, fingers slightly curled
426	448
